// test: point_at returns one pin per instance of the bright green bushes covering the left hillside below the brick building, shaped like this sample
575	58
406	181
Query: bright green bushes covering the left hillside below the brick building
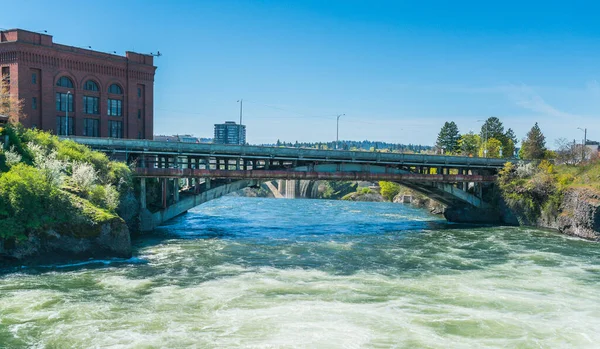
47	184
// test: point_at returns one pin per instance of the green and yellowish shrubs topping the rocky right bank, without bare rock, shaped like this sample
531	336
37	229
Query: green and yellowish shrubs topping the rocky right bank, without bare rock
536	191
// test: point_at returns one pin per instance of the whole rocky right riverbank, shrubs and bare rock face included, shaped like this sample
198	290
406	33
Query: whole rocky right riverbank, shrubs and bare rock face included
565	198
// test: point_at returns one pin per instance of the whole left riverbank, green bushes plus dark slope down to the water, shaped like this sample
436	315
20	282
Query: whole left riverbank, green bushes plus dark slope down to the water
61	199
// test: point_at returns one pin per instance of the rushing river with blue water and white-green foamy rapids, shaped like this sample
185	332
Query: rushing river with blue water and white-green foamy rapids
264	273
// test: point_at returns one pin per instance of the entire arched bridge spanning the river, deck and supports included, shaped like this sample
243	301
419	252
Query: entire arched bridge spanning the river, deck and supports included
185	175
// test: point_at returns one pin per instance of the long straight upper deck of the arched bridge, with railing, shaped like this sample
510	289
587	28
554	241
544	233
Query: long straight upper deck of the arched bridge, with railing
147	147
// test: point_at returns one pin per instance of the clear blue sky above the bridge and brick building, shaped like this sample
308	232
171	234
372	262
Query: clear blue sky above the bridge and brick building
397	69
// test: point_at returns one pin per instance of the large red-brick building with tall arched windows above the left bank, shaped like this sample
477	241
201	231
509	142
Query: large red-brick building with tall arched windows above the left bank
103	95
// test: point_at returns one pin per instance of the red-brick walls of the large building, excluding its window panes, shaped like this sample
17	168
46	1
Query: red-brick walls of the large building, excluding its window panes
29	53
